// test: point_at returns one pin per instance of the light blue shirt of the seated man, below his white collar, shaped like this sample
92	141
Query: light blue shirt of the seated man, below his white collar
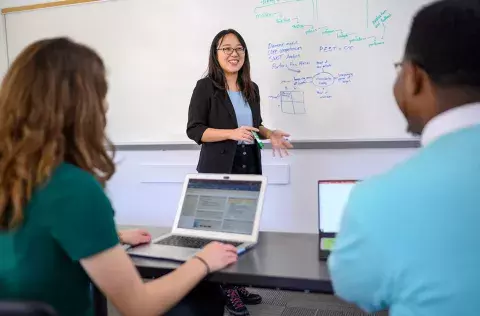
409	239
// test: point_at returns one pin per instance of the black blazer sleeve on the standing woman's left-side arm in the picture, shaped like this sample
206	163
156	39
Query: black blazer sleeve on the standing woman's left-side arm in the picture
198	113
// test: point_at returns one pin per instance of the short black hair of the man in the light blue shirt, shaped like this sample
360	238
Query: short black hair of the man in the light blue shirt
444	41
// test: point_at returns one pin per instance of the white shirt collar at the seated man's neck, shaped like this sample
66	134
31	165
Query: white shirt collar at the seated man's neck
451	121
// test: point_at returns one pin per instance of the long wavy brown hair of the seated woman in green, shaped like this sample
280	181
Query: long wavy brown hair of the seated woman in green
52	110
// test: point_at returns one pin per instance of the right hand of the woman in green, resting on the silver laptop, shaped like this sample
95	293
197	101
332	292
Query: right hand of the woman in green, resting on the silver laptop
218	255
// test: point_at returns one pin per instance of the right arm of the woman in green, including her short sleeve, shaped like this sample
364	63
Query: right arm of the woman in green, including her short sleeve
83	226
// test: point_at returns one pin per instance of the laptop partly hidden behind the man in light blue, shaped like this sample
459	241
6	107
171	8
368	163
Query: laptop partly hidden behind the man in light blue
332	199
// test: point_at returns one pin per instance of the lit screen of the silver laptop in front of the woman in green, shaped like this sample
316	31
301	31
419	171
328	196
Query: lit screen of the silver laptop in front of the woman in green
227	206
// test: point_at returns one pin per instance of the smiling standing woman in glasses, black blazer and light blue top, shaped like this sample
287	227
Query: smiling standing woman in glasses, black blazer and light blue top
224	111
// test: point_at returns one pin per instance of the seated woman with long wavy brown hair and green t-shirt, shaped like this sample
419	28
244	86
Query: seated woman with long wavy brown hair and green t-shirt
57	230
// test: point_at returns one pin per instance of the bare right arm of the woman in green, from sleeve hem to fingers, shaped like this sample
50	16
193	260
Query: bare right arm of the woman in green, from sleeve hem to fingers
115	275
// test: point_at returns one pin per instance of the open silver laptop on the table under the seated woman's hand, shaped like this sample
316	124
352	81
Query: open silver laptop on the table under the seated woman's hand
212	207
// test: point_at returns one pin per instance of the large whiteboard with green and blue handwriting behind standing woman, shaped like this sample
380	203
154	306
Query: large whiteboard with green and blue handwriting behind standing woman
324	67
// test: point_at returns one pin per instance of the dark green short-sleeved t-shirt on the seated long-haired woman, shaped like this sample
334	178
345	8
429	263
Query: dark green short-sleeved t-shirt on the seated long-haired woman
68	219
